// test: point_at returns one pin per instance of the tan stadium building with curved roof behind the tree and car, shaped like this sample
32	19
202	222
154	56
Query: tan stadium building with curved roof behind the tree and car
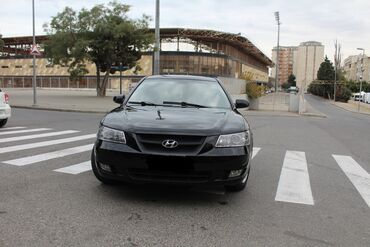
183	51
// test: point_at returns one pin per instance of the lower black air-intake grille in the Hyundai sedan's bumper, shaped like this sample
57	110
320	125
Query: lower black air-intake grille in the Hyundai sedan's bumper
169	176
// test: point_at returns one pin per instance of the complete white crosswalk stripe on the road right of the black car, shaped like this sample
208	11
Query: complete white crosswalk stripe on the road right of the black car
294	183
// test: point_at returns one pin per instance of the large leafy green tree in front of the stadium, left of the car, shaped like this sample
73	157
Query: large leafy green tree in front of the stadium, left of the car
103	35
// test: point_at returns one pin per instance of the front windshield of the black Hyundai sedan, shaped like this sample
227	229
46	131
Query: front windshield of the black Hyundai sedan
180	92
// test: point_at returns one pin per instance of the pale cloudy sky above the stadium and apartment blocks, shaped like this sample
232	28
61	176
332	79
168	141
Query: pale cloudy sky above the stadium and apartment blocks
302	20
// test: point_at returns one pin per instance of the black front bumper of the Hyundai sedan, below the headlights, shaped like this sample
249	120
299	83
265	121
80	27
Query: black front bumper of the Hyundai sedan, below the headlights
130	165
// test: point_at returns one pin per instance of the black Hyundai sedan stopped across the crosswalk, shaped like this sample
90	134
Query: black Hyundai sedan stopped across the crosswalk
175	130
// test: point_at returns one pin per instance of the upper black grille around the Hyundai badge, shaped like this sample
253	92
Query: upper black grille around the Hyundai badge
187	144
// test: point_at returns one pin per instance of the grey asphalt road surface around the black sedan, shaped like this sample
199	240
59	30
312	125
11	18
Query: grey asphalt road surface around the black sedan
43	207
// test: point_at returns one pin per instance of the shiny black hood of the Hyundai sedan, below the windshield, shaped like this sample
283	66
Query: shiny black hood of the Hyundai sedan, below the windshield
148	119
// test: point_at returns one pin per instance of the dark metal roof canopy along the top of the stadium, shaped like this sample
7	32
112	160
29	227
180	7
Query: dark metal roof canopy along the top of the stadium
199	35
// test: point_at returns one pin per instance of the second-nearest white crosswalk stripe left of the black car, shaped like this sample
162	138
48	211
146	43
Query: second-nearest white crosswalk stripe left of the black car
48	156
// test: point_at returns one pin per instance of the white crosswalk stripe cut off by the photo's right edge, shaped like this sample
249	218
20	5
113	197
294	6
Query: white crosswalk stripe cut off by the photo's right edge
356	174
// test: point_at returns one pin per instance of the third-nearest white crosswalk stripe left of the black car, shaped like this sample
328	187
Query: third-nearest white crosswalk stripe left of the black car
45	143
